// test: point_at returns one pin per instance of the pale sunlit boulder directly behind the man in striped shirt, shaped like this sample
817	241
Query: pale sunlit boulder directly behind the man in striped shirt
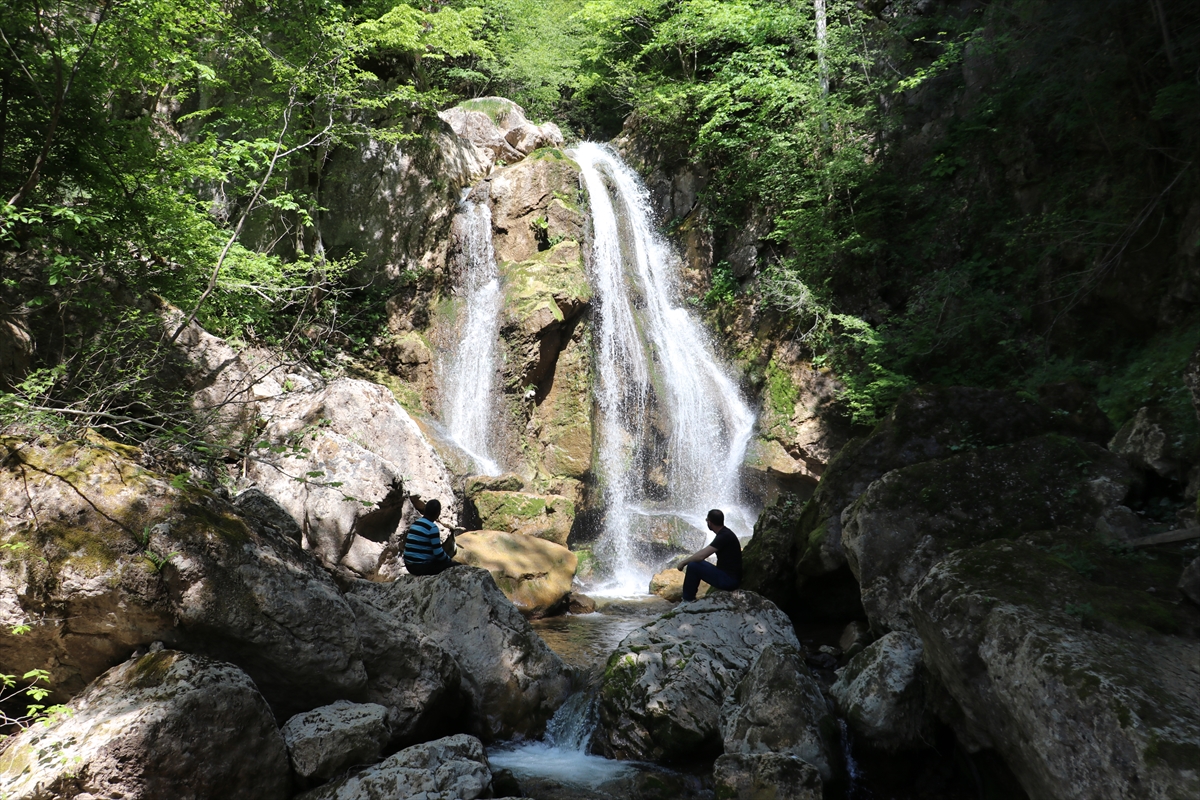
341	462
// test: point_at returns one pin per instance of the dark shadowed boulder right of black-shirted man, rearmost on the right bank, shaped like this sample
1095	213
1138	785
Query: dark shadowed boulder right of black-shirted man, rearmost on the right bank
794	546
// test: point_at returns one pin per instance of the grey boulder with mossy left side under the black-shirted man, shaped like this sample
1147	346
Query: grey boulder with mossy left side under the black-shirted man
665	684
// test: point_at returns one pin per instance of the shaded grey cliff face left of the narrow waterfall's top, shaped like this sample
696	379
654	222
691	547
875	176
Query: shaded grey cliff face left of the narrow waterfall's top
395	202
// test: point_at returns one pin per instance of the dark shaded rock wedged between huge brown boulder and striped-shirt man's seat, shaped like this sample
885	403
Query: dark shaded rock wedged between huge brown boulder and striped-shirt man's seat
411	676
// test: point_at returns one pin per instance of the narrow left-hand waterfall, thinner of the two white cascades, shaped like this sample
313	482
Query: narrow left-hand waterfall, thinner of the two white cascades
469	377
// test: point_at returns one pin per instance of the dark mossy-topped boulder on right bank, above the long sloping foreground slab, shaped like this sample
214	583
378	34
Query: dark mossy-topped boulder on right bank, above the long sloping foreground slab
913	518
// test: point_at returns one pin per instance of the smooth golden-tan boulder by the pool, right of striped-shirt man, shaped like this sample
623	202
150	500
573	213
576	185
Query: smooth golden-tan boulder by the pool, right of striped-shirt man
533	573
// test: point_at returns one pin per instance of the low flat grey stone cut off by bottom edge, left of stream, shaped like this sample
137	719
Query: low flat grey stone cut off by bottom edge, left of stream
454	768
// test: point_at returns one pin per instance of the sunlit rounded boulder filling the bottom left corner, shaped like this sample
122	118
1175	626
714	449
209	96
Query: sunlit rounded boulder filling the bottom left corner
167	725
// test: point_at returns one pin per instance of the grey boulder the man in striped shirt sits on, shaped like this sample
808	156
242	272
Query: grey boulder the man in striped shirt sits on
512	681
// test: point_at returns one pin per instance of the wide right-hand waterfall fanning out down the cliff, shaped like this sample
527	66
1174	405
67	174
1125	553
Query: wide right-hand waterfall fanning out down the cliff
667	406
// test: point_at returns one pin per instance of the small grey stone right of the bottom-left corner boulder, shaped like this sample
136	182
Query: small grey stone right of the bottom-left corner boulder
325	742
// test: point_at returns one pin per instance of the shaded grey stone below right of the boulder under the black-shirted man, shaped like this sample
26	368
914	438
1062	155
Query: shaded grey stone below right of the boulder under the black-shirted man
778	708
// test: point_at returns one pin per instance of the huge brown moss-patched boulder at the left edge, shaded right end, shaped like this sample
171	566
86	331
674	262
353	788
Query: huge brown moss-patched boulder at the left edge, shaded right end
105	556
